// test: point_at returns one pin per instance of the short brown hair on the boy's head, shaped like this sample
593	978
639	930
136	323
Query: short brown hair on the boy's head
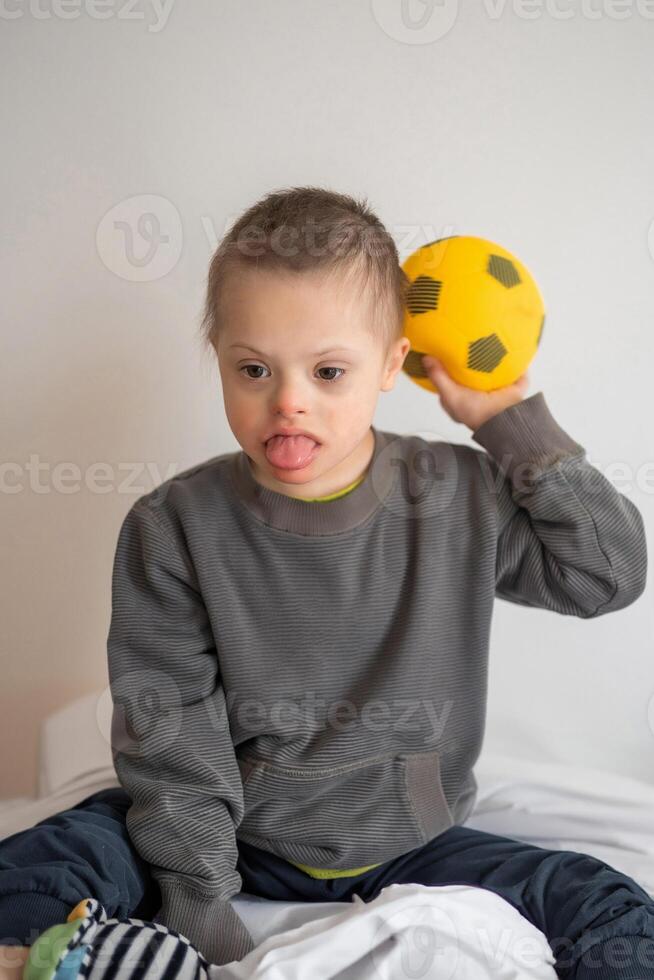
346	238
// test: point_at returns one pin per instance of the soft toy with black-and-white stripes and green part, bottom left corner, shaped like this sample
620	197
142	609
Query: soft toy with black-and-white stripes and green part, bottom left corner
88	946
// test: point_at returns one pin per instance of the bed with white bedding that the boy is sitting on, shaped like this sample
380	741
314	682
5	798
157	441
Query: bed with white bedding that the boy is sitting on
454	932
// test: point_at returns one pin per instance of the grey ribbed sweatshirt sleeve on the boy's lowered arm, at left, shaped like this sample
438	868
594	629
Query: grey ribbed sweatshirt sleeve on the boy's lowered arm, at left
171	741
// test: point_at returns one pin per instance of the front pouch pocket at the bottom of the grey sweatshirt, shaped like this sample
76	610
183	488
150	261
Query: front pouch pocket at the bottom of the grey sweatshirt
344	816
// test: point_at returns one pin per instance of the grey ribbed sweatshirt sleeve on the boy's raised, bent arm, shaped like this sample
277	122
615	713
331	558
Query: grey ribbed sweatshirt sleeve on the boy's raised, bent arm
568	541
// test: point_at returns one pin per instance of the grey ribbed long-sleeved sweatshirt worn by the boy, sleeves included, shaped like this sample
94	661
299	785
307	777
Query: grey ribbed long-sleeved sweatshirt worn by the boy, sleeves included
311	677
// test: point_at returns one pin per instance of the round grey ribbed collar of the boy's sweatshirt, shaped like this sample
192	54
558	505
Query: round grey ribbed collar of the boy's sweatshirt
317	517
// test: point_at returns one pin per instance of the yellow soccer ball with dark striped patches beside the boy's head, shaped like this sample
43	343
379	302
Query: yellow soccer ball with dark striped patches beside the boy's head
475	307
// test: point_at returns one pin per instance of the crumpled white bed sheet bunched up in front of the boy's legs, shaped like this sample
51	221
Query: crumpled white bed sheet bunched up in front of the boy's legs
450	932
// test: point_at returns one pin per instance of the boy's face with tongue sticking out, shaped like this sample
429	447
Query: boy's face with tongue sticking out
289	319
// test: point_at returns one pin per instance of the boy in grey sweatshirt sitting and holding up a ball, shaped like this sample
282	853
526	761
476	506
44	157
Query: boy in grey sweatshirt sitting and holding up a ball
299	637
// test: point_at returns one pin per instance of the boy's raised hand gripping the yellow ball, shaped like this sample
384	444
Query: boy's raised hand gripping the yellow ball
468	405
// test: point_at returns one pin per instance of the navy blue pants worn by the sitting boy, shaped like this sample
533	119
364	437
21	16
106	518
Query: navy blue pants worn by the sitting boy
598	921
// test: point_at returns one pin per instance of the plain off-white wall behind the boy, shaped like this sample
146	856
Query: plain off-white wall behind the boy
529	125
